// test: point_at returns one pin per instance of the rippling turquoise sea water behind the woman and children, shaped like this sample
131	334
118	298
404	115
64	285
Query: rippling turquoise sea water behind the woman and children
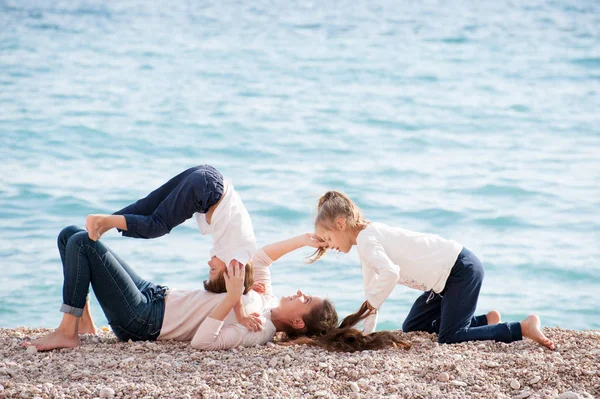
478	122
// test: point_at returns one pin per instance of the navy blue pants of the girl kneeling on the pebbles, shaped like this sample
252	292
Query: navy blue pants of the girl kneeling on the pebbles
451	313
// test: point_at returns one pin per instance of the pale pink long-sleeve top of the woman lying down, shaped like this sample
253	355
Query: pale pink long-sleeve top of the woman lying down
187	314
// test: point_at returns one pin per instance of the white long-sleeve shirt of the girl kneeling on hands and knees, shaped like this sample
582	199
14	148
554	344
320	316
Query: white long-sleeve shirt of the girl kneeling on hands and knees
392	255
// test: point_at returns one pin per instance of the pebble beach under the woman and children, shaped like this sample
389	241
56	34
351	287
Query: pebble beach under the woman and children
103	367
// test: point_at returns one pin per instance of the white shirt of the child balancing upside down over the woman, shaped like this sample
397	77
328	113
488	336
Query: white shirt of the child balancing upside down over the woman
231	228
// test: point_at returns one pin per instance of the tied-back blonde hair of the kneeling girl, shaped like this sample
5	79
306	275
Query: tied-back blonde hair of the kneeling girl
333	205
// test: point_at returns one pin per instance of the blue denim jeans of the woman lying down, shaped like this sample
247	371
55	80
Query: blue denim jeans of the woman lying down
133	306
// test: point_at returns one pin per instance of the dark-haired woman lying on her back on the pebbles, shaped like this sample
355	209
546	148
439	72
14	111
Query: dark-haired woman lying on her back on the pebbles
140	310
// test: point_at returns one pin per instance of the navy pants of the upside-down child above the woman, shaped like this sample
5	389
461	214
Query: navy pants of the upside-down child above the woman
193	190
